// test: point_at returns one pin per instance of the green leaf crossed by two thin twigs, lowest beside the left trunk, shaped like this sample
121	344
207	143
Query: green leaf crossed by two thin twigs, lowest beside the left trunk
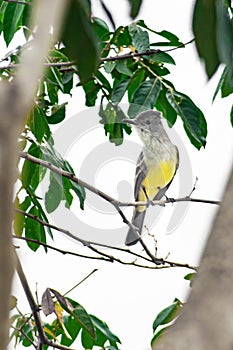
32	229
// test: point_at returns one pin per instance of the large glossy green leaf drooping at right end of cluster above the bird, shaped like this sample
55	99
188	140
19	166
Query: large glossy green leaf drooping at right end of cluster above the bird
192	117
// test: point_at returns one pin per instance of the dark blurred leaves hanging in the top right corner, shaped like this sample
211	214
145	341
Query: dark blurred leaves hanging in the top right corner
215	41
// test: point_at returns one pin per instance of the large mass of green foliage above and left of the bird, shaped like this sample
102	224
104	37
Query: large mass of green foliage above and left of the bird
106	76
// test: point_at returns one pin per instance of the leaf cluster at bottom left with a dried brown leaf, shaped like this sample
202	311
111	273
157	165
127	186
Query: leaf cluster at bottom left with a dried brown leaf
71	323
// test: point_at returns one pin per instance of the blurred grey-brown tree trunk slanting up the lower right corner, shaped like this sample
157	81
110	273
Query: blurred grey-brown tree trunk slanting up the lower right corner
206	322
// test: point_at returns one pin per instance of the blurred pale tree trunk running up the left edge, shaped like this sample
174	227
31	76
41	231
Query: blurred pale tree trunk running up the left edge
15	102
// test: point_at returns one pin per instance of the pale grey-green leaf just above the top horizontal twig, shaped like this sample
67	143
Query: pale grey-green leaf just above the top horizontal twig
140	38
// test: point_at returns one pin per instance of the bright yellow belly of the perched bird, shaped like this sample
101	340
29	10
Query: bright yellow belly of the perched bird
158	176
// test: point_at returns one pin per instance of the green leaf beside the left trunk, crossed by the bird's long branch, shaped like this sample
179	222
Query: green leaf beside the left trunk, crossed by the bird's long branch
30	168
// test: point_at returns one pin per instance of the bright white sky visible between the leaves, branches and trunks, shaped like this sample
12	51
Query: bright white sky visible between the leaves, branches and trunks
129	298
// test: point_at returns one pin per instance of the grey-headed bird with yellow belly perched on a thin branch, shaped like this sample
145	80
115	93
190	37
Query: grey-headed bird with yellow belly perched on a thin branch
156	166
